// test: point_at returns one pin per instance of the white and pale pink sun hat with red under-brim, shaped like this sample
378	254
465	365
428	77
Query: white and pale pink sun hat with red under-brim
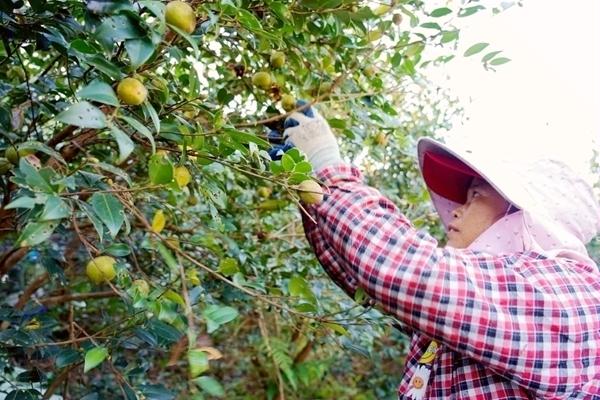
558	213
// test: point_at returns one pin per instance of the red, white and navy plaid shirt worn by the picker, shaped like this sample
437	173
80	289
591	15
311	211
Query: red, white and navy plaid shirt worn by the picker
512	326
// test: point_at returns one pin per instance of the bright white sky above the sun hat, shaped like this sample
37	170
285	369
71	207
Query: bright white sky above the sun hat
546	101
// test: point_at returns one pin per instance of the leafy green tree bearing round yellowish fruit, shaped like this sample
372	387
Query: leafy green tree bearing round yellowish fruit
150	248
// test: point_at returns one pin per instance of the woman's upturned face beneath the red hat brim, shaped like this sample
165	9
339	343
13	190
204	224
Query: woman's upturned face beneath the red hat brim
483	208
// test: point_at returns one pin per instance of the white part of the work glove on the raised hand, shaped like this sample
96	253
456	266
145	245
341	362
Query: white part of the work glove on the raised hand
310	133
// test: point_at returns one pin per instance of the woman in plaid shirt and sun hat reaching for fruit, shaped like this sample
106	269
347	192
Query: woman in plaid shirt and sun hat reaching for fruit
509	308
